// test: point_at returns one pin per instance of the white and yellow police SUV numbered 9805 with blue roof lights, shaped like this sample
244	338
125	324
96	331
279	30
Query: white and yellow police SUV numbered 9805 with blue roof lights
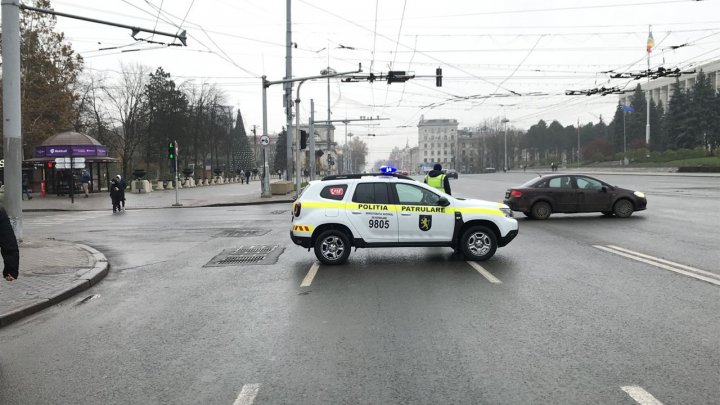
389	210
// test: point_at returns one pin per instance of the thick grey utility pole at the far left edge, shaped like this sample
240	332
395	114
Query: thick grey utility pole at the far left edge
12	140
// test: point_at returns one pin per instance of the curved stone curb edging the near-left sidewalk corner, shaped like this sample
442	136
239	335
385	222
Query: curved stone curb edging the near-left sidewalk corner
86	279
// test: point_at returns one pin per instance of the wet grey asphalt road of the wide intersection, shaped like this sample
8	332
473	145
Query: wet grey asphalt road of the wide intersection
561	315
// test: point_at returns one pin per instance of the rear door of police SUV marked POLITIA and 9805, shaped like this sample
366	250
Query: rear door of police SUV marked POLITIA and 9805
371	213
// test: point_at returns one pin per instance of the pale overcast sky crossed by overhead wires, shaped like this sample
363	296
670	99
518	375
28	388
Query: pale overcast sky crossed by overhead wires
511	59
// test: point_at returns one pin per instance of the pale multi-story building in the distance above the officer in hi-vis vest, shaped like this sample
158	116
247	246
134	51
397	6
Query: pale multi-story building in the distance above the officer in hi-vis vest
437	143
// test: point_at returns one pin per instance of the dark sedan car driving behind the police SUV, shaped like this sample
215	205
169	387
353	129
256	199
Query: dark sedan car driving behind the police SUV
572	193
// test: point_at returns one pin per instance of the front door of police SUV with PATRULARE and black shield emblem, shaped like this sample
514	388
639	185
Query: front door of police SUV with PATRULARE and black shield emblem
421	218
